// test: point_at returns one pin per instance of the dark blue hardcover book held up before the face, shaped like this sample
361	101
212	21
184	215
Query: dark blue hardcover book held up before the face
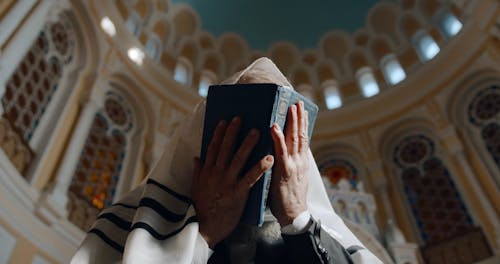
259	106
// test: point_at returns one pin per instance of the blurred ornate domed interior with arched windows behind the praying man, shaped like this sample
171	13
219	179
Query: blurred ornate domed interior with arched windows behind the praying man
407	139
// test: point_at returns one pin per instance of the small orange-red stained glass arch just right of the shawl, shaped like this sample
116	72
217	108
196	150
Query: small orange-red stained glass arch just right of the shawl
337	169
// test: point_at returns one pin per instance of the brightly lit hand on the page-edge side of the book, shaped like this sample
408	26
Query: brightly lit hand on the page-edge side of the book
290	179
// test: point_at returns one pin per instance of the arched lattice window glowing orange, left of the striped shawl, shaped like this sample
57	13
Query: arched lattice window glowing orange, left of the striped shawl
95	180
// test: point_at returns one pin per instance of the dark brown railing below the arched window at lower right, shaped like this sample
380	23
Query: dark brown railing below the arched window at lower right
465	248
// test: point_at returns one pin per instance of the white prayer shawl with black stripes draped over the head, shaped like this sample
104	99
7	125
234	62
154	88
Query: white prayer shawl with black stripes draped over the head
157	223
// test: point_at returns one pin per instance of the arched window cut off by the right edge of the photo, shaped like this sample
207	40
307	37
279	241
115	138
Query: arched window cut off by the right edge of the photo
483	113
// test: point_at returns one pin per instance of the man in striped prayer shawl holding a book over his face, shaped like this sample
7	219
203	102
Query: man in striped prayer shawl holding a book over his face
189	212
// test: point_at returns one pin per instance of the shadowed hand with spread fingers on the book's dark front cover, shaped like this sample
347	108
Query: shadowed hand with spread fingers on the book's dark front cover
219	196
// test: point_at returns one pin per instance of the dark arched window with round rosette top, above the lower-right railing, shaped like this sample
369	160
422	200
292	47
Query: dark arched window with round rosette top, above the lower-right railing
436	204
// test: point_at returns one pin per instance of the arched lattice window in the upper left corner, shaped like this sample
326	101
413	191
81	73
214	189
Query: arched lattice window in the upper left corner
32	86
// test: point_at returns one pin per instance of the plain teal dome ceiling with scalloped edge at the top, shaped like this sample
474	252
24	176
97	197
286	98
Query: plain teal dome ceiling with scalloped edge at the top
262	22
